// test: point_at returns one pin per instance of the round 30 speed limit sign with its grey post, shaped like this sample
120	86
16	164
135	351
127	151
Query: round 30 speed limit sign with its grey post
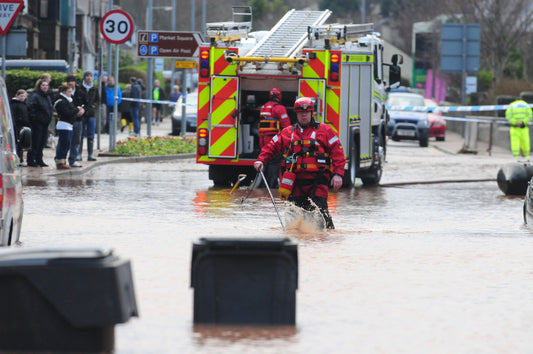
116	27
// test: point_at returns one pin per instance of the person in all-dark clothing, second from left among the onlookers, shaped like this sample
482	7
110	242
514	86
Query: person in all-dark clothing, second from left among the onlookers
40	111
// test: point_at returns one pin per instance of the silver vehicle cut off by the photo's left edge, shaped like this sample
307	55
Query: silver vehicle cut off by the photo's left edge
11	204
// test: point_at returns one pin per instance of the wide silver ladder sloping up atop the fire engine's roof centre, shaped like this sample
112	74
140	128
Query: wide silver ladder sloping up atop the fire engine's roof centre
289	35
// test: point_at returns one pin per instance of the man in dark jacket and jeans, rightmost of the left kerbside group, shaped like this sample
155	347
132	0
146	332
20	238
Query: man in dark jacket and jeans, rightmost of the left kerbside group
90	103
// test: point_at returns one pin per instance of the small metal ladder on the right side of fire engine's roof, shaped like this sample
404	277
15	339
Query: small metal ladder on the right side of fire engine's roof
339	32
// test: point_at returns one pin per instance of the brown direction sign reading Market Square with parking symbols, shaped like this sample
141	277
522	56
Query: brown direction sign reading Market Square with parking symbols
168	44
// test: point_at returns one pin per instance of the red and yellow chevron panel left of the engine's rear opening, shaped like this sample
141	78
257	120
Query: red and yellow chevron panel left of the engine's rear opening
223	118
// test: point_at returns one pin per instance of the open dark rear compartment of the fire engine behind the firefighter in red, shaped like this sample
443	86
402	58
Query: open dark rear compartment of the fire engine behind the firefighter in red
254	93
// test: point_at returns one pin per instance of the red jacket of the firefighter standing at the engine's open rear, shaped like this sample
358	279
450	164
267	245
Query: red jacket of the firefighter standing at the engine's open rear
273	118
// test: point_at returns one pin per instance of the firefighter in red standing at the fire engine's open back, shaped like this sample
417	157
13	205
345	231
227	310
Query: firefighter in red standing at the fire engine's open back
273	119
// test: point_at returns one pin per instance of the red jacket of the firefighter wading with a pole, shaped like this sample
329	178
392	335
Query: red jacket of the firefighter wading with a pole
314	153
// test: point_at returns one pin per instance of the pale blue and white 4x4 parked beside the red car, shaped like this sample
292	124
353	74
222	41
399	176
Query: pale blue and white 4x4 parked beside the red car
406	124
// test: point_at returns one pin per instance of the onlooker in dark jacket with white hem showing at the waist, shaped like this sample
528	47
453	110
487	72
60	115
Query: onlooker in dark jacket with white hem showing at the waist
67	114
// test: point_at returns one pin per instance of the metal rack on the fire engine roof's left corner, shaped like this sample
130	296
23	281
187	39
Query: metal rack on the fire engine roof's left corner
231	30
